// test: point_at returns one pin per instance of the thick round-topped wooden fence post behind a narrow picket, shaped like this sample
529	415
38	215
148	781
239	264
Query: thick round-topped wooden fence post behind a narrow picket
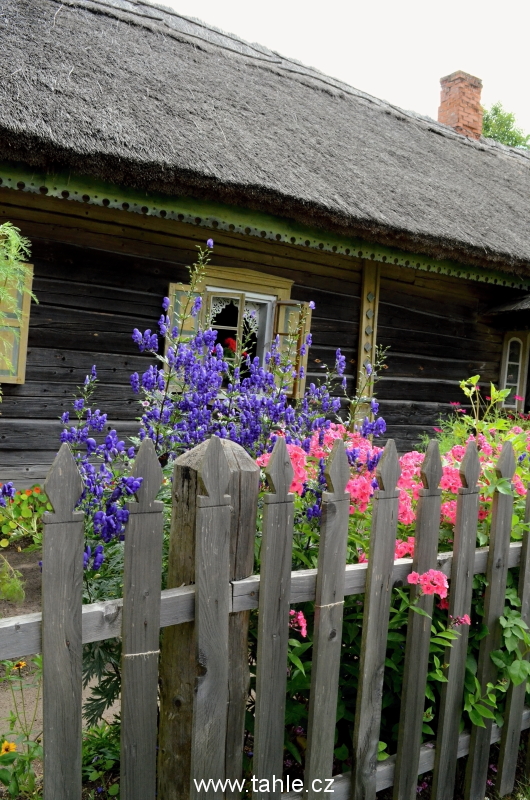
178	665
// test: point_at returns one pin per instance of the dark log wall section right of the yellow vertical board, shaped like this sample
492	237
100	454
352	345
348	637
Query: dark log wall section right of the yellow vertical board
433	327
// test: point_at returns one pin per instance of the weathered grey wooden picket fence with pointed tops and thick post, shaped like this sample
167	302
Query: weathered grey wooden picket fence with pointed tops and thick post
182	711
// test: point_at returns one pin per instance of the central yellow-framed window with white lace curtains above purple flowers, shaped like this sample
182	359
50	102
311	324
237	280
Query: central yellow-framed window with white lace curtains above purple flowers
247	307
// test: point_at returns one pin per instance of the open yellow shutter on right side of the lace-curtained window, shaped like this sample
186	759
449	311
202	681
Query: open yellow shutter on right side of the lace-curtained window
292	323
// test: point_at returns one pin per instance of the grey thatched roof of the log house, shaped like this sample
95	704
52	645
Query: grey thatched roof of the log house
142	97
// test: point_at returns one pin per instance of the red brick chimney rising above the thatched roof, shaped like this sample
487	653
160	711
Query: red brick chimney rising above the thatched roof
460	103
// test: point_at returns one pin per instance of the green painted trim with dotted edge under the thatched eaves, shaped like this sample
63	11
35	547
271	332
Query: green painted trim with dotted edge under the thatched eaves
234	219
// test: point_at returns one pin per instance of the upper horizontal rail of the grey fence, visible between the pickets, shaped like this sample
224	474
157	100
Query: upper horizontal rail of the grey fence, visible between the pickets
20	636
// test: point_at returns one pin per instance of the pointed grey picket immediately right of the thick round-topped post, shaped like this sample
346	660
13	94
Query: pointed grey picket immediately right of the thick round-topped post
273	622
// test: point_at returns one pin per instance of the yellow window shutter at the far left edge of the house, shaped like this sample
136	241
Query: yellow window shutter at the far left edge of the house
15	300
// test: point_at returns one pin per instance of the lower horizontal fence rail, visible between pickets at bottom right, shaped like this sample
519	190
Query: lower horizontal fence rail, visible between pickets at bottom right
385	769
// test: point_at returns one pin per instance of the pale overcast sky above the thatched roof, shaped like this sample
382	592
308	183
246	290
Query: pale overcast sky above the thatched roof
397	51
